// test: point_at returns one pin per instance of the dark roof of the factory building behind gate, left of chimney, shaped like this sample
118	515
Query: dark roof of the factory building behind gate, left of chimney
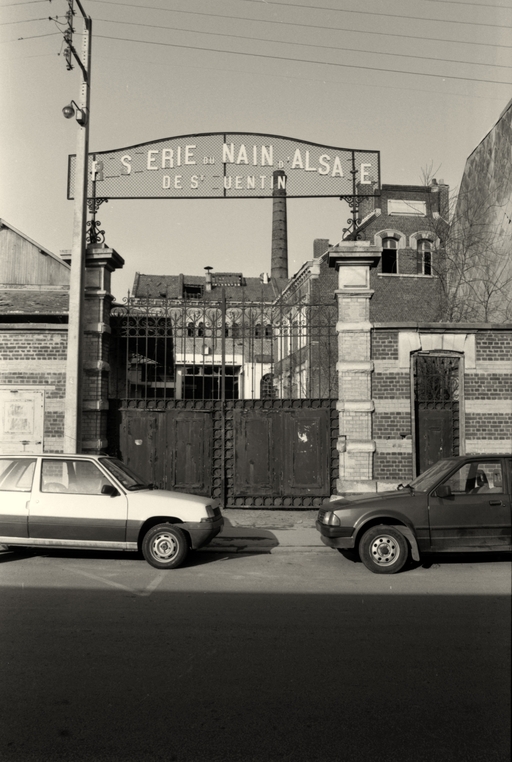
237	287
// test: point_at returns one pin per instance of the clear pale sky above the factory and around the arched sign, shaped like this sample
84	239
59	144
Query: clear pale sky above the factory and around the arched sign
420	81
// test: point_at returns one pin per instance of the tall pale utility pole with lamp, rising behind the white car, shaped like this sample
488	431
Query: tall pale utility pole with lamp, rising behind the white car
74	365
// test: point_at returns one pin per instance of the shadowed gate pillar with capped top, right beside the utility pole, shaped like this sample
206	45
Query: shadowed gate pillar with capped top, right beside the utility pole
100	262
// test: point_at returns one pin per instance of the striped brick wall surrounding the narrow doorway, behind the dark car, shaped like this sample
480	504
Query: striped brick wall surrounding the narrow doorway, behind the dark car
486	394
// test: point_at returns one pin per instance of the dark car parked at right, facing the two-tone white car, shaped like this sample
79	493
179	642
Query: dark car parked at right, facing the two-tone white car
461	503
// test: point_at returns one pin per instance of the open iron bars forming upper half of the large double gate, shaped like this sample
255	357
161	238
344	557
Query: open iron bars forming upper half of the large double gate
164	349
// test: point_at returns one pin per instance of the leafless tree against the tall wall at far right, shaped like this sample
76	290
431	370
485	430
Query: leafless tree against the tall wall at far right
473	258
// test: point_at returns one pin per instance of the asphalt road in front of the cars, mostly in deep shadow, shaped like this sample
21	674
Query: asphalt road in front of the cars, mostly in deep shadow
294	656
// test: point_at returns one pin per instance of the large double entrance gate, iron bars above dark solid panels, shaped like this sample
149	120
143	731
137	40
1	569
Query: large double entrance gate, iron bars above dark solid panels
235	401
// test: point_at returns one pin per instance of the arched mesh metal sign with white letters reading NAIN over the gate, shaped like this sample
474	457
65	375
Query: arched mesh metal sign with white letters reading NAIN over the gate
229	165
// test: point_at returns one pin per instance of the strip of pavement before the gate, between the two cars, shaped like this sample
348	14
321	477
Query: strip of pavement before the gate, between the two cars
263	531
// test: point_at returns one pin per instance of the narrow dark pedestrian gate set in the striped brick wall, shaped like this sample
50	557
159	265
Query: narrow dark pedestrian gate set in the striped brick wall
437	391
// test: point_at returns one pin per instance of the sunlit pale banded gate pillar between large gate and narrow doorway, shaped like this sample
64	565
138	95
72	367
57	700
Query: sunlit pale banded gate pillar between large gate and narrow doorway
353	260
